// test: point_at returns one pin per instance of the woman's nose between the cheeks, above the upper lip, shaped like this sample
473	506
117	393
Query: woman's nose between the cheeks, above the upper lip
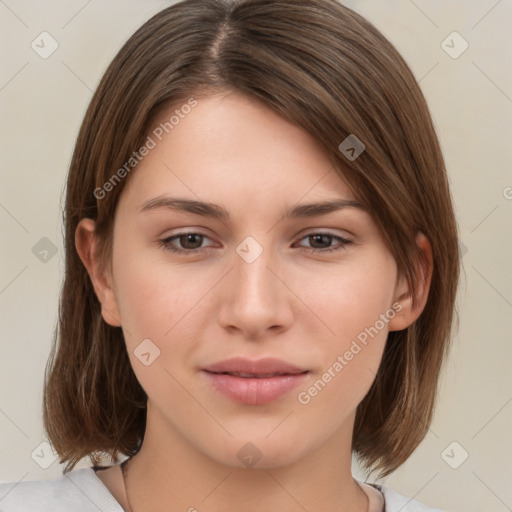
255	298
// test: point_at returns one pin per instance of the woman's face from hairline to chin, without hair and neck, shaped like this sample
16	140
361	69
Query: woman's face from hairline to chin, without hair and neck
236	322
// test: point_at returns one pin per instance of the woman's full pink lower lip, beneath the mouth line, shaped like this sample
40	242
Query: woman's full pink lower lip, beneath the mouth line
254	391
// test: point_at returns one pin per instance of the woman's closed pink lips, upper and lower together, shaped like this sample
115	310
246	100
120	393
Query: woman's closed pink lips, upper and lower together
254	382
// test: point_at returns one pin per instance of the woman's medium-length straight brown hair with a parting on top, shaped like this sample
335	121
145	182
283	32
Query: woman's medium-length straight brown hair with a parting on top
325	68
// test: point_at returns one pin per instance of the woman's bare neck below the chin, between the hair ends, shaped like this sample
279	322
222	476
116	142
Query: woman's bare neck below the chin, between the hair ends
170	474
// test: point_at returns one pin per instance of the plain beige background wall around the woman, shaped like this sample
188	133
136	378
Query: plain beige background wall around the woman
43	102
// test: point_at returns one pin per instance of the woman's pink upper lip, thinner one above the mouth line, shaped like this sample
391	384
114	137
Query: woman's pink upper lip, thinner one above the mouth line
264	366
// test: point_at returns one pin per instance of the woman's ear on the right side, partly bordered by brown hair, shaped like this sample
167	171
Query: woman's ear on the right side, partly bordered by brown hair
409	313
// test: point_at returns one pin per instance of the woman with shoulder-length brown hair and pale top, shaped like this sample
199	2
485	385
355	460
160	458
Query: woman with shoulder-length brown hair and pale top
206	333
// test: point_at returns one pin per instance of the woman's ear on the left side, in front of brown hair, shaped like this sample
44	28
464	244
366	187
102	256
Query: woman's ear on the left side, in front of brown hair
85	242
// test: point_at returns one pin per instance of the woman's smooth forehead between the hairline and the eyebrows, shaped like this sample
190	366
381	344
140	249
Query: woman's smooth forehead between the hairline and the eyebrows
230	149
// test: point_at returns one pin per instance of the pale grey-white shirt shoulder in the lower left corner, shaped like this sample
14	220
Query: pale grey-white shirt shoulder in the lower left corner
77	491
